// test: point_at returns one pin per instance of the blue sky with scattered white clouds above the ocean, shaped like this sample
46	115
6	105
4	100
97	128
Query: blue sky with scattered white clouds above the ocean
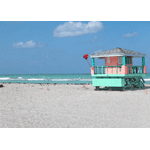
57	47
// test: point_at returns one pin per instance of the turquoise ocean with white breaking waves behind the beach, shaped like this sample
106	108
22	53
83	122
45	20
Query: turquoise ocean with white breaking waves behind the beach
53	78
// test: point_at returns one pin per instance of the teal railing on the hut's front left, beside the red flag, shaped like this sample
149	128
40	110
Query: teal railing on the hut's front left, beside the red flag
101	69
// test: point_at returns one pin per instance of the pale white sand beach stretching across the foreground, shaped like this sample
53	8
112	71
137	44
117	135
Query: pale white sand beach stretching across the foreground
72	106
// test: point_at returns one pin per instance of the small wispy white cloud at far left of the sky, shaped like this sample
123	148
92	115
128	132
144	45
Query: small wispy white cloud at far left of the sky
28	44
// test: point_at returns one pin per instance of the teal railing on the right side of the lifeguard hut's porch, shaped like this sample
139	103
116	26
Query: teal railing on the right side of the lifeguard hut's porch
135	69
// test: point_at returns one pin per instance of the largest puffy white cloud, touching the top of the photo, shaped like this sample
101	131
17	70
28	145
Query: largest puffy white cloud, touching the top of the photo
70	29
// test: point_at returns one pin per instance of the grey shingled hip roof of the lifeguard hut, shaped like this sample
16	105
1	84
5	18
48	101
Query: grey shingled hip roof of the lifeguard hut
117	52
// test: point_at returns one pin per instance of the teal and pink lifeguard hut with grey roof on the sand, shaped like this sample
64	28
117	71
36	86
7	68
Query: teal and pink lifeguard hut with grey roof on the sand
118	71
